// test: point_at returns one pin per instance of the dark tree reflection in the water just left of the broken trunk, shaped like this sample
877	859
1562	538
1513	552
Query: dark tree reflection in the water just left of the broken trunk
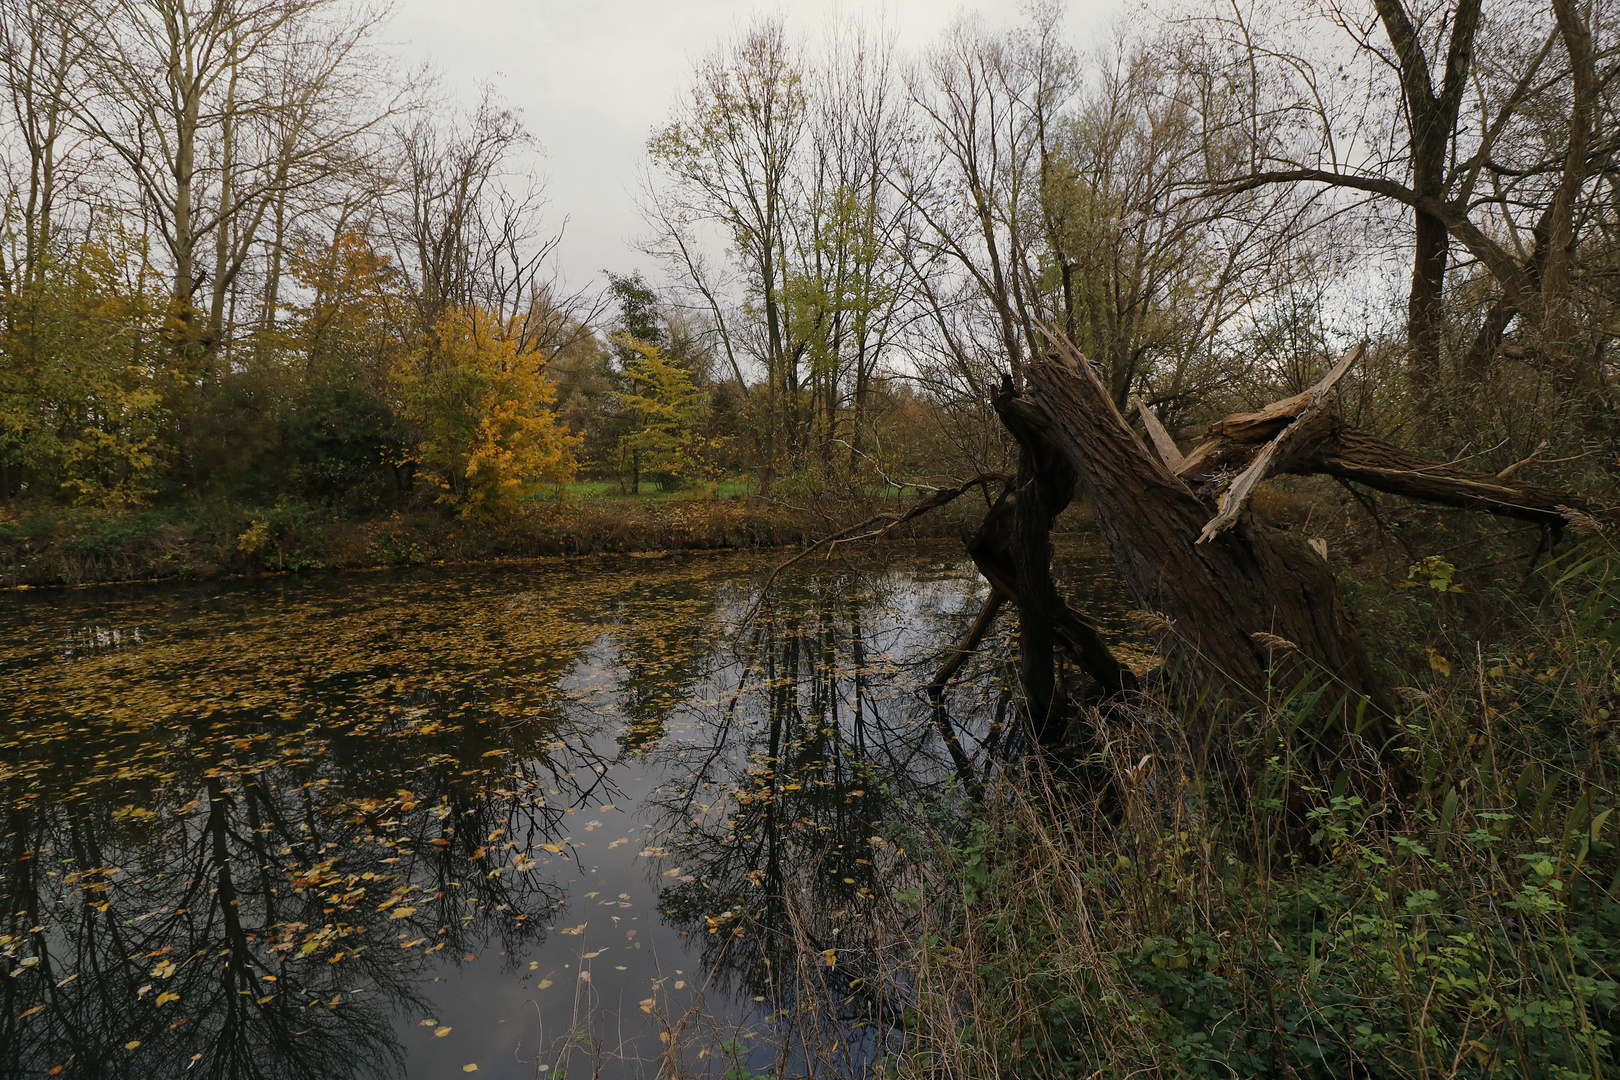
782	820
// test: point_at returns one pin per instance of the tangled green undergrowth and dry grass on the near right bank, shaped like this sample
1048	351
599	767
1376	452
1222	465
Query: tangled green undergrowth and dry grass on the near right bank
1459	922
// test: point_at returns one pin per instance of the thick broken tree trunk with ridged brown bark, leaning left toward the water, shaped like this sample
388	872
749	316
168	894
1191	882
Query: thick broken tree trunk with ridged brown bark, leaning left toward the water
1235	602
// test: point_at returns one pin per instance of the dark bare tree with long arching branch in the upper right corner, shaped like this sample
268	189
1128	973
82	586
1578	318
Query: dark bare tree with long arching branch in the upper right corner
1486	127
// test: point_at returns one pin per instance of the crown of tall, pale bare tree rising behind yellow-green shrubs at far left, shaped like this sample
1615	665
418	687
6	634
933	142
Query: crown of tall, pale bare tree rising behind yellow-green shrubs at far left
216	114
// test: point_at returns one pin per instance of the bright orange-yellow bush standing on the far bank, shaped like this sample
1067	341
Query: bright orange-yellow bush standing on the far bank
485	417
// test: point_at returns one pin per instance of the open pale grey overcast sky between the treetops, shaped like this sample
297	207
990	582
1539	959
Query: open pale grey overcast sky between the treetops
594	79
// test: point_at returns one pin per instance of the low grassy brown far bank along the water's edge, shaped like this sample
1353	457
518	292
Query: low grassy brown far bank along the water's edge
67	546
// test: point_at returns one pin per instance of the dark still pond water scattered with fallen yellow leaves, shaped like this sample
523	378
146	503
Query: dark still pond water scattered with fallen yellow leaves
532	820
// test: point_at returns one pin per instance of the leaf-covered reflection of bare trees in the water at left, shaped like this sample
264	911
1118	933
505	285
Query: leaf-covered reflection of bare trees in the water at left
244	862
